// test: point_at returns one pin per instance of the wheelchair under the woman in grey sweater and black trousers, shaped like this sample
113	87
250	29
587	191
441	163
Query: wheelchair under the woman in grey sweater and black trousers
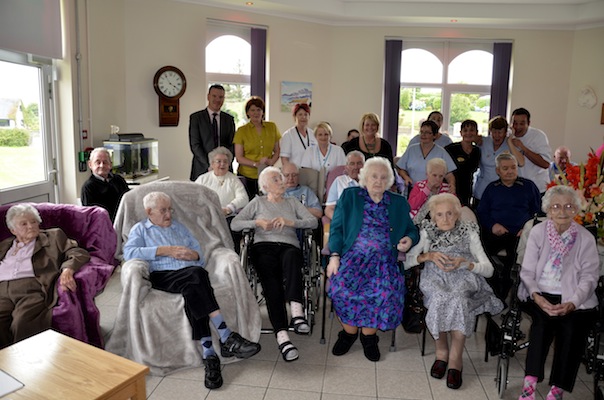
311	272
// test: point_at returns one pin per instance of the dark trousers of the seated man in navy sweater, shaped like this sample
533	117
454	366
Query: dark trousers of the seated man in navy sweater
501	281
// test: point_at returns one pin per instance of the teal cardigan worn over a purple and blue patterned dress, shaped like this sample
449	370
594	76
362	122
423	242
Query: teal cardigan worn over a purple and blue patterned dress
348	218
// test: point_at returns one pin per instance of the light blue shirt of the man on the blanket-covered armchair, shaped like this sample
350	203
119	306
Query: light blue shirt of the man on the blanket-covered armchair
145	237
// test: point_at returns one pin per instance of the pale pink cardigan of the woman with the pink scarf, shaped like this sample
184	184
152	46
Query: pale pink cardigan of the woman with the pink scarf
580	272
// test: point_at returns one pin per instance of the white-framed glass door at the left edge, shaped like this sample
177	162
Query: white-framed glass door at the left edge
27	139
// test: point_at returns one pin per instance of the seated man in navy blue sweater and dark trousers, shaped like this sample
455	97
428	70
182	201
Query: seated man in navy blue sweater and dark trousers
506	205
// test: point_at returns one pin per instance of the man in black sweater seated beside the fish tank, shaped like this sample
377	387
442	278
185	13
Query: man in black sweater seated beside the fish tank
103	188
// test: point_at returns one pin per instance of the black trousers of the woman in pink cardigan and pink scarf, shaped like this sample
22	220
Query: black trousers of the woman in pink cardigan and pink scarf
569	331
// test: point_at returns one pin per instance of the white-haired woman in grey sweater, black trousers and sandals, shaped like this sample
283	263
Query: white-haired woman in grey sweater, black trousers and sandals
276	254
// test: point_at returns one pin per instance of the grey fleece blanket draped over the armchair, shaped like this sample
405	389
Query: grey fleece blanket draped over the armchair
151	327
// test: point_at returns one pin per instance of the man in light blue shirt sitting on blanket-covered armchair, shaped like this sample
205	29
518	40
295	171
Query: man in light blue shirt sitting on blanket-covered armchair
176	266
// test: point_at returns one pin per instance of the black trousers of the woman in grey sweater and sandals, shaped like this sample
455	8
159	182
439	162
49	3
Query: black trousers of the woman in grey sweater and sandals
279	269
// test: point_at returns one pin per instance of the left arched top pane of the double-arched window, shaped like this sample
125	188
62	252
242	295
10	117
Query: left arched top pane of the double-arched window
420	66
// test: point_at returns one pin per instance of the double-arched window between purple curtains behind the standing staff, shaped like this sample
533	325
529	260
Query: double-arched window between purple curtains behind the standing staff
451	77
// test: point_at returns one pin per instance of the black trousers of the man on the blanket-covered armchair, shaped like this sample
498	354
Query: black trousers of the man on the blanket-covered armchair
194	285
